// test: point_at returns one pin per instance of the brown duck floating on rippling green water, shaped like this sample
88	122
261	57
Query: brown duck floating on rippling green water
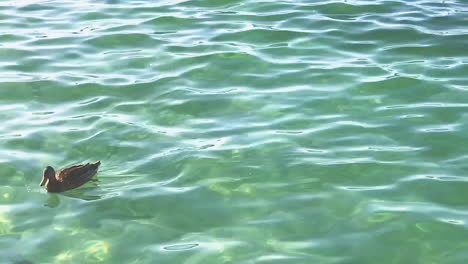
68	178
